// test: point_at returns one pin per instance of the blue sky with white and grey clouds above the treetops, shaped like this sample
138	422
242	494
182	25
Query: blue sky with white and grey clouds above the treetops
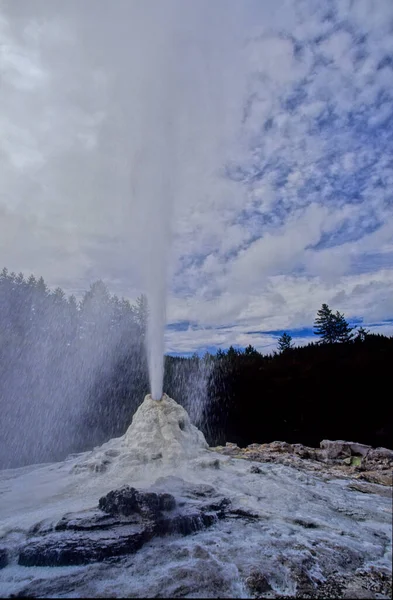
249	143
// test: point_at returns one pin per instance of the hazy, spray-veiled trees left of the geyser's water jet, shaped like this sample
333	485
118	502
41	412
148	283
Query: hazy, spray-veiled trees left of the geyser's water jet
57	357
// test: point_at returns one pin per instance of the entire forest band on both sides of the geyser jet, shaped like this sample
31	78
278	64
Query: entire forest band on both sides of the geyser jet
73	373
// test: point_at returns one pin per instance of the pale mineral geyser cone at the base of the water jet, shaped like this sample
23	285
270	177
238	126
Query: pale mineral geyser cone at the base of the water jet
161	429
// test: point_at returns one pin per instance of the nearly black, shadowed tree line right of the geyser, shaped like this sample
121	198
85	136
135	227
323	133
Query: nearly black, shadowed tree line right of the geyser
304	394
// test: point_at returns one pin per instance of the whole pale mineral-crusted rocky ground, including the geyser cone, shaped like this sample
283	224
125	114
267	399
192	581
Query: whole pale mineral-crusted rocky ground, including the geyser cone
268	521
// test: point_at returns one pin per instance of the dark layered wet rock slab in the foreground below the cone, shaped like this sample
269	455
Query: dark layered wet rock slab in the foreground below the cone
127	518
